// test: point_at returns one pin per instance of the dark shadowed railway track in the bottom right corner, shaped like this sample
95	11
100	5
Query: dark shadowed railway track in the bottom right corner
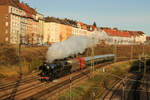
140	87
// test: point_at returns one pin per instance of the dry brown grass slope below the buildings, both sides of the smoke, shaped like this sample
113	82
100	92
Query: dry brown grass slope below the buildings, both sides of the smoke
32	57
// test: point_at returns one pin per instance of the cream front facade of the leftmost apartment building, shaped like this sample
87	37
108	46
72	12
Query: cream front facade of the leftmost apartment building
17	23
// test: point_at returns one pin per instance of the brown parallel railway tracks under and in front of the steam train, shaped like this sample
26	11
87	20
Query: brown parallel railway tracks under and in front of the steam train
39	88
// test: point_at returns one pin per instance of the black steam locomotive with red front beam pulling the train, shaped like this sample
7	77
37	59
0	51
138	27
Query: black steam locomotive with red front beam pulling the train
54	70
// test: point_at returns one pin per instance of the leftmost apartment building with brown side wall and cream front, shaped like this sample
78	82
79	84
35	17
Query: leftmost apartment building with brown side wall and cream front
11	16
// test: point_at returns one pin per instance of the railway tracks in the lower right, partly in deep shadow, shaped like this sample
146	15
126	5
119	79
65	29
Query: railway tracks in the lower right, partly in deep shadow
136	88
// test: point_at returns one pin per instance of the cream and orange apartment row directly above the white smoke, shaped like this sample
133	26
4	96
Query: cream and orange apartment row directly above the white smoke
56	32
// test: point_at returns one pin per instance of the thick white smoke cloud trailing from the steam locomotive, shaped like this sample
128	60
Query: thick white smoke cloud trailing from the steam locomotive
71	46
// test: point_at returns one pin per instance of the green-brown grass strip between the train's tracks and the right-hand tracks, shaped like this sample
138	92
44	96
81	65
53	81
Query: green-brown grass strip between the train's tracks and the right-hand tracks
84	91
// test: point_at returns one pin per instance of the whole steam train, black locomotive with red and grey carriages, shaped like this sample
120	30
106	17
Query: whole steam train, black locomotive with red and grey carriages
59	68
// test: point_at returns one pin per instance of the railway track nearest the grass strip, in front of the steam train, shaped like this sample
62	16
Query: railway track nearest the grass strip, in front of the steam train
42	91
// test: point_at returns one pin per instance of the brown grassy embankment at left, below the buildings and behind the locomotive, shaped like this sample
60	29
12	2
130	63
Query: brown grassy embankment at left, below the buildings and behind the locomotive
29	60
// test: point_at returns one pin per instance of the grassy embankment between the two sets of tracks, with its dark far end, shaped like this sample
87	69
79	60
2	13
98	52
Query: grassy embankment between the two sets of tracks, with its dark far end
95	87
